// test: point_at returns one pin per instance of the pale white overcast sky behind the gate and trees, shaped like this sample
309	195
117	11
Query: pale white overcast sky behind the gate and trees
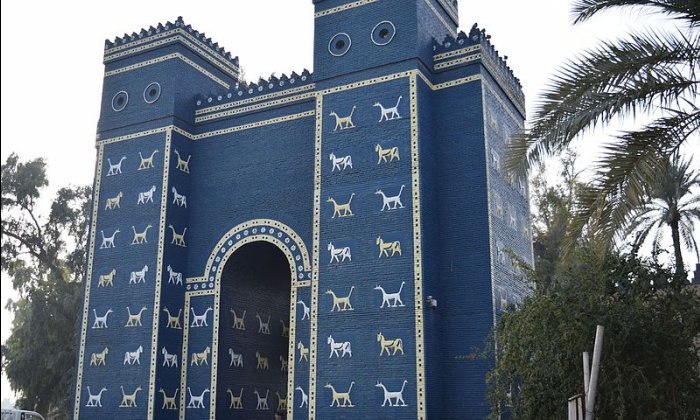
52	62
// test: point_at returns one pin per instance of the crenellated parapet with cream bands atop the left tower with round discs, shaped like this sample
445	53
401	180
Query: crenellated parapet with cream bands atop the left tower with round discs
170	33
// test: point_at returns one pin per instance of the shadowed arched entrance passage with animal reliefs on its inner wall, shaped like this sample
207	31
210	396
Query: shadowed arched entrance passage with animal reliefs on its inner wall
253	333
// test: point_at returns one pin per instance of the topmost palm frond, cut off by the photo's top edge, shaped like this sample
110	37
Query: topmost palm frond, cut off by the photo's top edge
683	9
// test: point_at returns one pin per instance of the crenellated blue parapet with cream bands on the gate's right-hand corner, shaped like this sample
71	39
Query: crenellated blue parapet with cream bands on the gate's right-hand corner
476	46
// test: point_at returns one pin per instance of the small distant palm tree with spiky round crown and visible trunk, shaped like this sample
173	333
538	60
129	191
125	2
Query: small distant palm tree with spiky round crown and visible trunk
670	201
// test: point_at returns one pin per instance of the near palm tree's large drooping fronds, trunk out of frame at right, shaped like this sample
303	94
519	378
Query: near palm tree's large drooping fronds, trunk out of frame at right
650	72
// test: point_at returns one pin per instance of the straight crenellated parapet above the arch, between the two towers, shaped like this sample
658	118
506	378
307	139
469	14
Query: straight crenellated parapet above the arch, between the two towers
247	96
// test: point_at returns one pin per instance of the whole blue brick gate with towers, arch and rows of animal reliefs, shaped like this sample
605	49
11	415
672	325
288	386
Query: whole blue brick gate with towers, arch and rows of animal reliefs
324	244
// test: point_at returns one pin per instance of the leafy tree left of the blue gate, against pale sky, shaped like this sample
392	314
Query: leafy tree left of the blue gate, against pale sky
45	258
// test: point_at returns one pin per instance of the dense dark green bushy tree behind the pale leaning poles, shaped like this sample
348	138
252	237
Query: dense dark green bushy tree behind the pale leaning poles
650	367
